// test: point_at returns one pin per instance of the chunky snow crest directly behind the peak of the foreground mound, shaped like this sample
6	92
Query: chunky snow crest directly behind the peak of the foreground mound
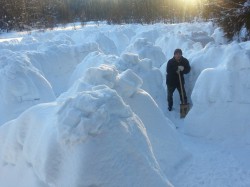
126	83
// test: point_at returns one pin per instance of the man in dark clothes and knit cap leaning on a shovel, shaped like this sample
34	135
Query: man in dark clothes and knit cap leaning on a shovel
178	64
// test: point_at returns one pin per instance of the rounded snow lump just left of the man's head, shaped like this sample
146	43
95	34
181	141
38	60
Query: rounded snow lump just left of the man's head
146	49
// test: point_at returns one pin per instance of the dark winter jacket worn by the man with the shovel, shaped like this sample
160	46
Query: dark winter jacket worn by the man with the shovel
172	67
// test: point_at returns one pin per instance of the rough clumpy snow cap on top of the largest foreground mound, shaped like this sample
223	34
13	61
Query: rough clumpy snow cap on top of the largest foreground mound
96	110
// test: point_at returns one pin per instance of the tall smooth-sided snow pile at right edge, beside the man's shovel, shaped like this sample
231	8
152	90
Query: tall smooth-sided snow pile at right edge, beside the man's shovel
221	102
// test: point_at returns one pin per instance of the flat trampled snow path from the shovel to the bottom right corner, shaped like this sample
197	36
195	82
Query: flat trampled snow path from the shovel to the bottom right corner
213	163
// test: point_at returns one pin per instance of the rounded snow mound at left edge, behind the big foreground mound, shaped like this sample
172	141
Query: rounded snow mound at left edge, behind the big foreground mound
22	85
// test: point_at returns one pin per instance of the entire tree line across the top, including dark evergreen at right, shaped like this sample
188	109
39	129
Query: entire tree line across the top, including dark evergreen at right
29	14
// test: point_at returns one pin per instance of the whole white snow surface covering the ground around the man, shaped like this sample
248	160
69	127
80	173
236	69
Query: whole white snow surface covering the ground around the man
88	107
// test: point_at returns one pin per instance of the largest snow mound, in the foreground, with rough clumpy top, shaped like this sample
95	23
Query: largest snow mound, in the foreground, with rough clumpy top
92	139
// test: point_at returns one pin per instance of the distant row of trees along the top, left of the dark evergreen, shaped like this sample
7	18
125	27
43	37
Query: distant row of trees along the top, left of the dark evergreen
28	14
